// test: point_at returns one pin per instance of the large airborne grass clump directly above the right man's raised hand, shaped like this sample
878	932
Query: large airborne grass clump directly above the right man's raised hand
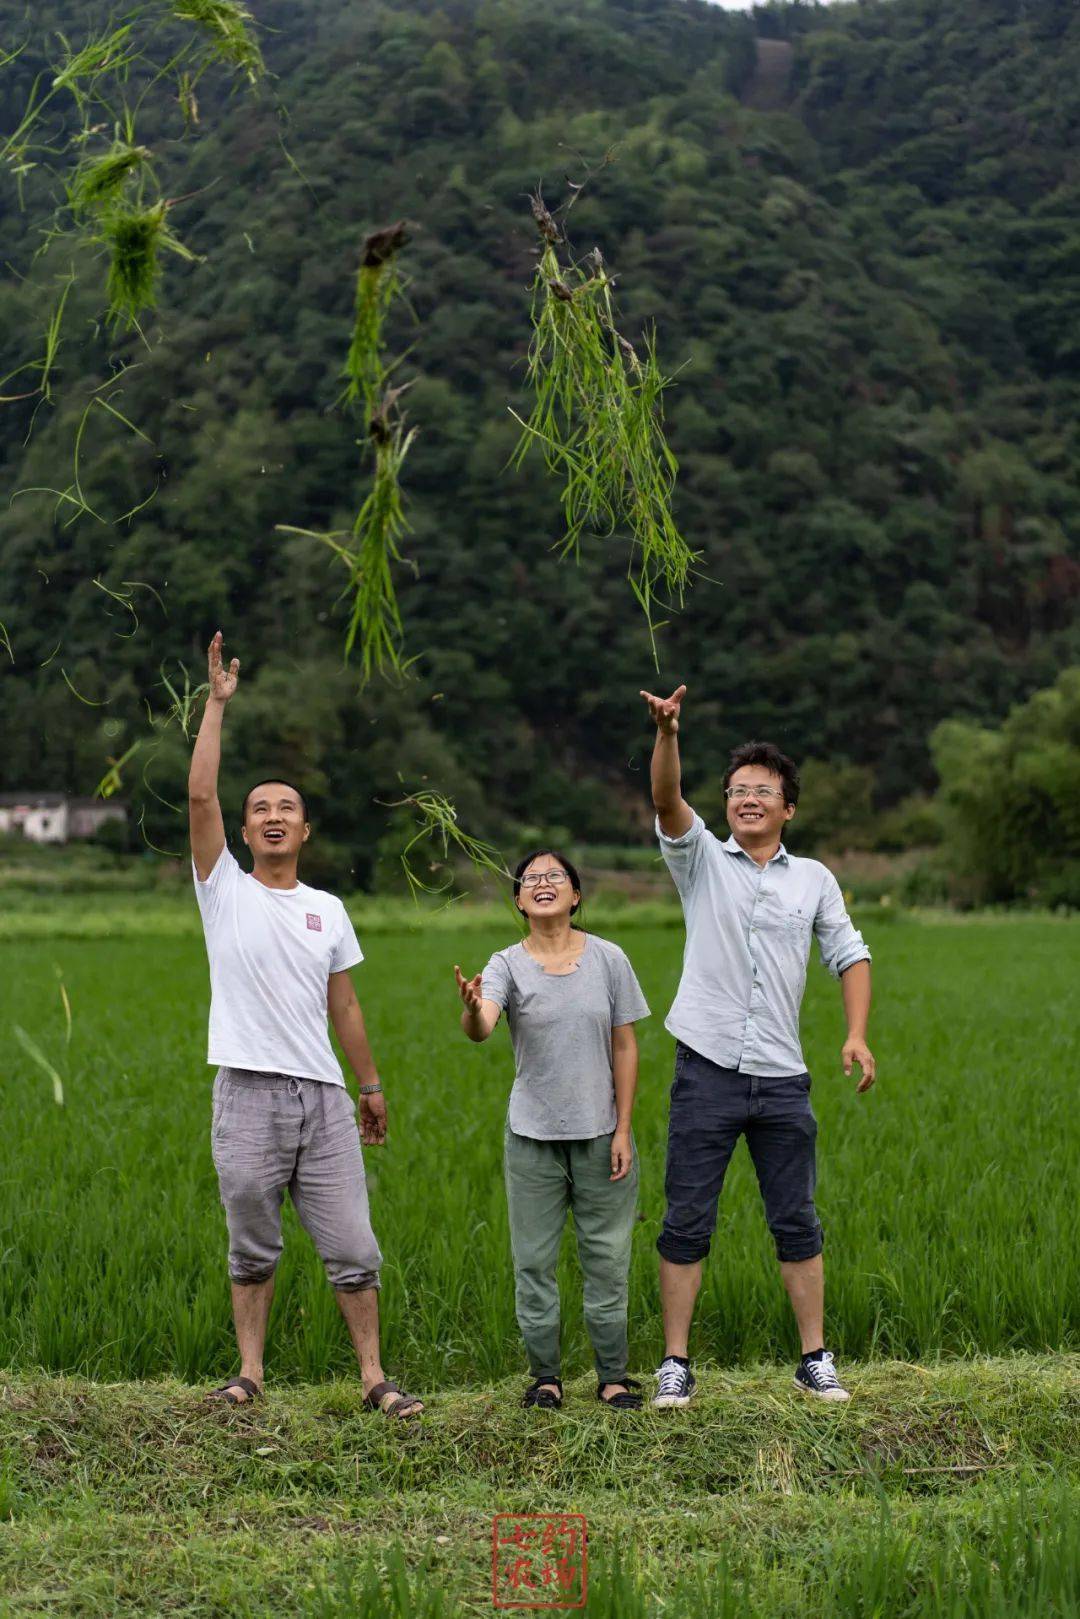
598	419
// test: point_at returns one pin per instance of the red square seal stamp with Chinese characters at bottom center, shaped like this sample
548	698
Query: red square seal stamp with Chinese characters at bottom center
538	1560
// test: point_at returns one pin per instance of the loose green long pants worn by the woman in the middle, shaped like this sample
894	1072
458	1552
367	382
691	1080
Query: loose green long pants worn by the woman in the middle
545	1179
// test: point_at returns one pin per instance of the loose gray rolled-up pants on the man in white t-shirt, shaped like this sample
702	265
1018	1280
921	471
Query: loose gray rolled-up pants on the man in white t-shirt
274	1134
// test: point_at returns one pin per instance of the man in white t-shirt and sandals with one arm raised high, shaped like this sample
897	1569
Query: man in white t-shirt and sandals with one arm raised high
279	958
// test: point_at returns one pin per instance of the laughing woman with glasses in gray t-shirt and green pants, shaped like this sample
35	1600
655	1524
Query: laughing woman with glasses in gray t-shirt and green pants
571	1001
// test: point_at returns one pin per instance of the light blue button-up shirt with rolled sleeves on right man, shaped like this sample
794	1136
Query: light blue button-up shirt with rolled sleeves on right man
749	932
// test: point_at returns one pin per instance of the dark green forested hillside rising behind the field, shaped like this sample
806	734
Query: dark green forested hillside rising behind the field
872	302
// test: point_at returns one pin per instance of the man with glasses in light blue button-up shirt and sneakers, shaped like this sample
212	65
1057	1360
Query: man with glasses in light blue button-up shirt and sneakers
752	912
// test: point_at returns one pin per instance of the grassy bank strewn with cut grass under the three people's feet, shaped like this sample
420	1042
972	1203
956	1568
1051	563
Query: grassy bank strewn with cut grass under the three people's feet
950	1490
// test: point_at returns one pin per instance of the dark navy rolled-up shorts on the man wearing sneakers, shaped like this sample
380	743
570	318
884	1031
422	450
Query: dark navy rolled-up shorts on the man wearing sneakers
710	1110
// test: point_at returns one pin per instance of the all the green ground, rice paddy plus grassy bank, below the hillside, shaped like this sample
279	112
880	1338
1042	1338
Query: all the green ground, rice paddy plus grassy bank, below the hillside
950	1485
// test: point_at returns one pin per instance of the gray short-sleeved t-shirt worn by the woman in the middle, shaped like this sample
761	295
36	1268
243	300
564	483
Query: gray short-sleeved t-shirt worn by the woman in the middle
561	1026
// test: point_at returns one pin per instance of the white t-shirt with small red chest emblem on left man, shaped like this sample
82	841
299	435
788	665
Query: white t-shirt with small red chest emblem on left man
271	954
